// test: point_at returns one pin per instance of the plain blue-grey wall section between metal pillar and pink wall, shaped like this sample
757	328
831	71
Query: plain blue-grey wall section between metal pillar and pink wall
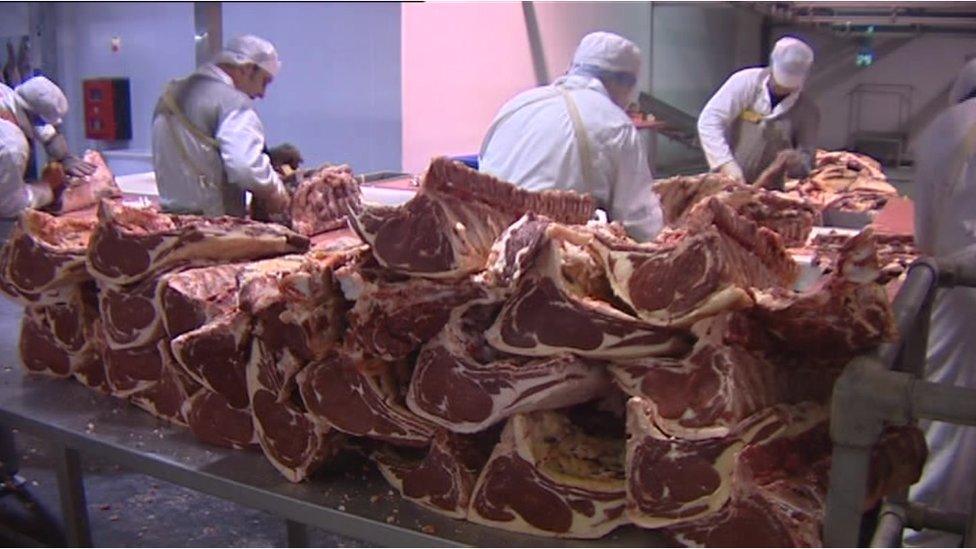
337	97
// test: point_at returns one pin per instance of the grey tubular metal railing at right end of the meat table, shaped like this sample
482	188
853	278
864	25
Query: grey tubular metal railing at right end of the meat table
887	387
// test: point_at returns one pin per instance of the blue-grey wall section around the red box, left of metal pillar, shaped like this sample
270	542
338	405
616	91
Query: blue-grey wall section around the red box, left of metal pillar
156	46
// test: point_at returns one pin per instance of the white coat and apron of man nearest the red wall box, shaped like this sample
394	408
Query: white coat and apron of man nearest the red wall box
240	160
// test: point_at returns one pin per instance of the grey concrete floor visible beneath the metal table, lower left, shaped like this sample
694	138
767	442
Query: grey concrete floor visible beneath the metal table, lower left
128	509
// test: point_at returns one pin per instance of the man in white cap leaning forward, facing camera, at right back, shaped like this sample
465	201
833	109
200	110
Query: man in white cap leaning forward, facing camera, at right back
760	112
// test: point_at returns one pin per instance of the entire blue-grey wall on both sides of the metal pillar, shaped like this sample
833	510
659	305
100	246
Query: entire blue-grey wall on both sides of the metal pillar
337	97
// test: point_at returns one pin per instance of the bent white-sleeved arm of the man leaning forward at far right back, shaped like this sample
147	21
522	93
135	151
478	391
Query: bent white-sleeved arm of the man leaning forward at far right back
722	109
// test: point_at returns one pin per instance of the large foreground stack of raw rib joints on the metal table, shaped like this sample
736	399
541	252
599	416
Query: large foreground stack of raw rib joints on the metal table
498	357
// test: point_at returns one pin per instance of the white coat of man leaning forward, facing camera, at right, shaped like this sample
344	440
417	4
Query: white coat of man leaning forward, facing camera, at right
748	90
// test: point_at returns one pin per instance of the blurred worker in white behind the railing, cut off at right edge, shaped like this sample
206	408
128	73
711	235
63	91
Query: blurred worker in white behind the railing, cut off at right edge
945	222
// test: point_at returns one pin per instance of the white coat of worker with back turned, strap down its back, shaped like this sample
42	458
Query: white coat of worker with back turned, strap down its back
533	146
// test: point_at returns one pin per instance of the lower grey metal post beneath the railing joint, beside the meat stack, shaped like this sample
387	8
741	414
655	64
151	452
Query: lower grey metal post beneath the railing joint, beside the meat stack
848	479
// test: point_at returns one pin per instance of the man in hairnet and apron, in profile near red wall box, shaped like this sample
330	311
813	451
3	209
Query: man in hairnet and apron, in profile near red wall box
208	142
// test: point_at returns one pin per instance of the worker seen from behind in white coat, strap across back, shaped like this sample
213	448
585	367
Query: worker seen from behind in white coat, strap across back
575	135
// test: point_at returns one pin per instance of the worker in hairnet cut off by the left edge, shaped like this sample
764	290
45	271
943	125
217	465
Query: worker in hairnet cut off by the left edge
32	110
